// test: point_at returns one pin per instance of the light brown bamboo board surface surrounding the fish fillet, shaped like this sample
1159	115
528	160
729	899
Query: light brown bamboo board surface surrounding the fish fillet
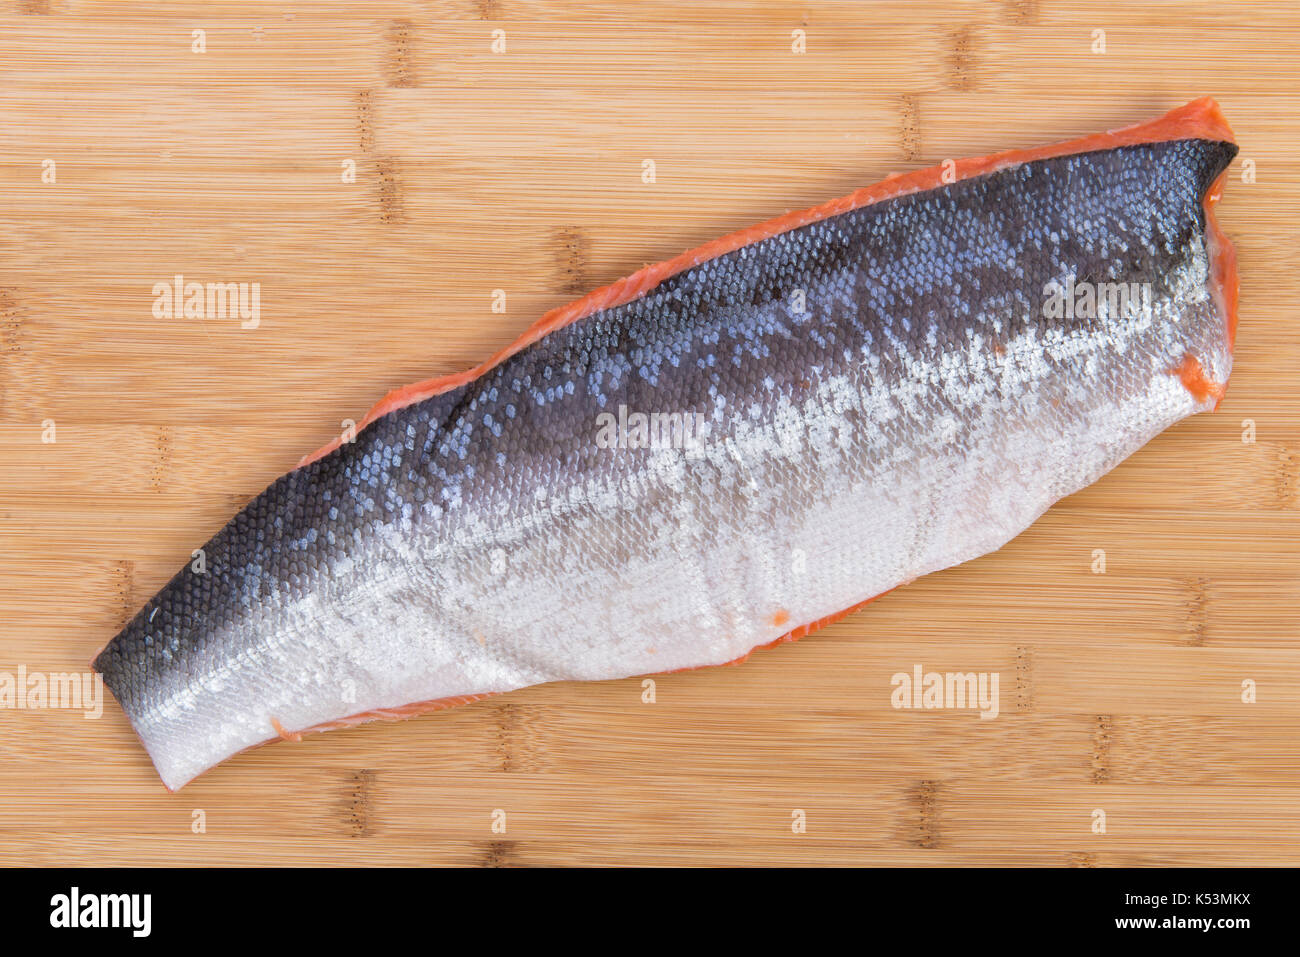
522	176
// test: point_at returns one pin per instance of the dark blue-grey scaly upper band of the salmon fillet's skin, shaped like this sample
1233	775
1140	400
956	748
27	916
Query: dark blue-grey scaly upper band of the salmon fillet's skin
903	279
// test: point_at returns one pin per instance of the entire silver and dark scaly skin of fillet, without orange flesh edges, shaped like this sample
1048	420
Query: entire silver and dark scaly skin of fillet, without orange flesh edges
917	413
